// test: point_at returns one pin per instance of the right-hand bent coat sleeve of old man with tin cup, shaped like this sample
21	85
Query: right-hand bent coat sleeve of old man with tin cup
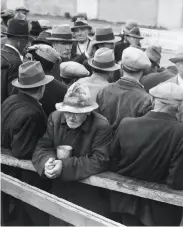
77	168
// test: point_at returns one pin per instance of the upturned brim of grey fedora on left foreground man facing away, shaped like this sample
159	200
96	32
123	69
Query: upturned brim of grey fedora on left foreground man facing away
46	80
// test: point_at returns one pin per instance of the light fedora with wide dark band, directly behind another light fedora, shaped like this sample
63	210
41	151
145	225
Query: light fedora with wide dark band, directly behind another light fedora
104	35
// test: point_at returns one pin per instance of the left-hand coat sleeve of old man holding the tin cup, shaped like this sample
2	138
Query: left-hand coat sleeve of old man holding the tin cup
44	149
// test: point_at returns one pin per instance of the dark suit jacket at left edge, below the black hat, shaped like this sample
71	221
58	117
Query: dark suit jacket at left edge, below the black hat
12	58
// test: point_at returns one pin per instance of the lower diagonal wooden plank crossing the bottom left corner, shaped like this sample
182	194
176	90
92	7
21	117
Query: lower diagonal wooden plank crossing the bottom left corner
53	205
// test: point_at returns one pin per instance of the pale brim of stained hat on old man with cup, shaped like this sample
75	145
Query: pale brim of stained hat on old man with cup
71	109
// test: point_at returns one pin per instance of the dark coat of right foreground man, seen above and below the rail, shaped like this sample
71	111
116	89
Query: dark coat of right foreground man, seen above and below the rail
154	153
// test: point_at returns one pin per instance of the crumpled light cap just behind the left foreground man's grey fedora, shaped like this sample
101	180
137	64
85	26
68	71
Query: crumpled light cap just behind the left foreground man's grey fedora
45	51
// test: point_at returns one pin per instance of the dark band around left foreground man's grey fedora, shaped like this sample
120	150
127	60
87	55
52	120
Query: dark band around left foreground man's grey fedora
24	80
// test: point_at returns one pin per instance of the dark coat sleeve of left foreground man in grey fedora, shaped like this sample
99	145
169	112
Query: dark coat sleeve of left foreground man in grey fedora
26	135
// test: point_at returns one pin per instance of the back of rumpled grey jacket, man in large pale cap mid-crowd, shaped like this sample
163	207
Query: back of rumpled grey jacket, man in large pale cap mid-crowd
125	98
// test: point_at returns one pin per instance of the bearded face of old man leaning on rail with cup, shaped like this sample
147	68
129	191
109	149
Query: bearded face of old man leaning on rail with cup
74	120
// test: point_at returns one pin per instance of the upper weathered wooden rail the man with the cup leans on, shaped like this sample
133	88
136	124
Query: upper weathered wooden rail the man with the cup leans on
115	182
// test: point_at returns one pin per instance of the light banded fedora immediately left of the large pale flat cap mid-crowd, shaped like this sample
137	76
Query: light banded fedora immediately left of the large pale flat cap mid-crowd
104	60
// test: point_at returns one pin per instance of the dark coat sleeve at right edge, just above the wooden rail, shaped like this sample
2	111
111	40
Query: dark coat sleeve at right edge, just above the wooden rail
175	176
